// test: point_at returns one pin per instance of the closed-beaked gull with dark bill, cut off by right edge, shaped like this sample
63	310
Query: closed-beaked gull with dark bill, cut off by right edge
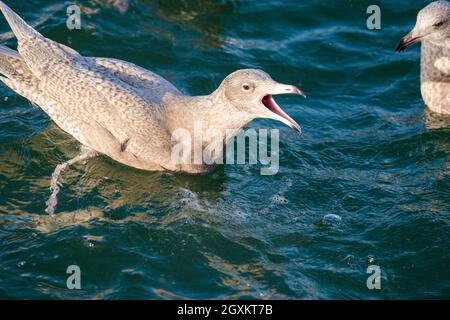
433	30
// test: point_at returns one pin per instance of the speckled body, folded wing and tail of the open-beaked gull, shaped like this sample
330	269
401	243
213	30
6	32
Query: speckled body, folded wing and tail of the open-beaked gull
111	106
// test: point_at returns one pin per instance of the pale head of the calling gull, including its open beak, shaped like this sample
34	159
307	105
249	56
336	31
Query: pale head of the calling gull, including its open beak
252	91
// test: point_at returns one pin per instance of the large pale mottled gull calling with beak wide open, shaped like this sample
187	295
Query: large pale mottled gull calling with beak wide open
118	109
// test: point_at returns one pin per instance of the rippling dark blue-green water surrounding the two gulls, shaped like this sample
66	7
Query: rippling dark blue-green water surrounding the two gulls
366	184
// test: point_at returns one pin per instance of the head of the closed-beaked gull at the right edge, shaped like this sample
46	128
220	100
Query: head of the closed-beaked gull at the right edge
433	24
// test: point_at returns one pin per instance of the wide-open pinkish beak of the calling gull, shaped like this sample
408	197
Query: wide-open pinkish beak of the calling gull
276	112
